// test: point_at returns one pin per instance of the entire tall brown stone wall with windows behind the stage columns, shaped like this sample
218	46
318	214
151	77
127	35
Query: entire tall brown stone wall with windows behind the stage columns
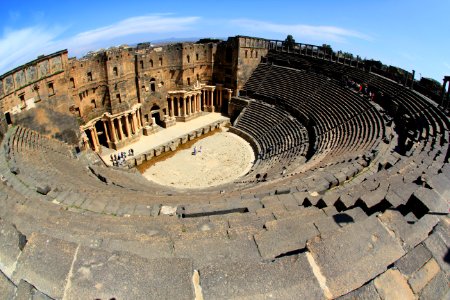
71	92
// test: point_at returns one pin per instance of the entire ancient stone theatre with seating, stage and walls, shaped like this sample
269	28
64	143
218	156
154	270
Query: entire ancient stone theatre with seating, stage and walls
253	169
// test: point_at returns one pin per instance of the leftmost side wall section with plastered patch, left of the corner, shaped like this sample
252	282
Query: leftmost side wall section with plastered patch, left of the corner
36	95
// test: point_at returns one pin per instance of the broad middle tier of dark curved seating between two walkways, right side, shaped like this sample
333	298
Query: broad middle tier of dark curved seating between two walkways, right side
340	121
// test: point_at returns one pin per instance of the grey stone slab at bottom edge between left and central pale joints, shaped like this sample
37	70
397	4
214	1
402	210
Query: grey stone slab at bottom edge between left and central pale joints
98	274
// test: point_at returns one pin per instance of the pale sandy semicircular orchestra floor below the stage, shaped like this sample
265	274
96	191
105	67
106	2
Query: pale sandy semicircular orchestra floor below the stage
224	157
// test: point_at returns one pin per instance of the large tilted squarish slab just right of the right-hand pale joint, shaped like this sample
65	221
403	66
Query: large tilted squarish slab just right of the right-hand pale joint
354	254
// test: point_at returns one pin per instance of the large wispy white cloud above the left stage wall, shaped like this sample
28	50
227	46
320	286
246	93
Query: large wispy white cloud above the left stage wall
18	46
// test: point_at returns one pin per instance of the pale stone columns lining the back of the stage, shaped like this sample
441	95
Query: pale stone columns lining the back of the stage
115	131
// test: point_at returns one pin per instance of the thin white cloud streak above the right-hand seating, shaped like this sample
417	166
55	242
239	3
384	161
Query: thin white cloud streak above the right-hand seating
319	33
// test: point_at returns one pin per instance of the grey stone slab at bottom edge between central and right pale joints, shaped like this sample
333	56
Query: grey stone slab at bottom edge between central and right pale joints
285	278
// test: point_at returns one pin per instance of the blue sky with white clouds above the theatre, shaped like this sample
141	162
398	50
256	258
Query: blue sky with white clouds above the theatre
410	34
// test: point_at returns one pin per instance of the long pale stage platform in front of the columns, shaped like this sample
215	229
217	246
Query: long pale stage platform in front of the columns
164	136
